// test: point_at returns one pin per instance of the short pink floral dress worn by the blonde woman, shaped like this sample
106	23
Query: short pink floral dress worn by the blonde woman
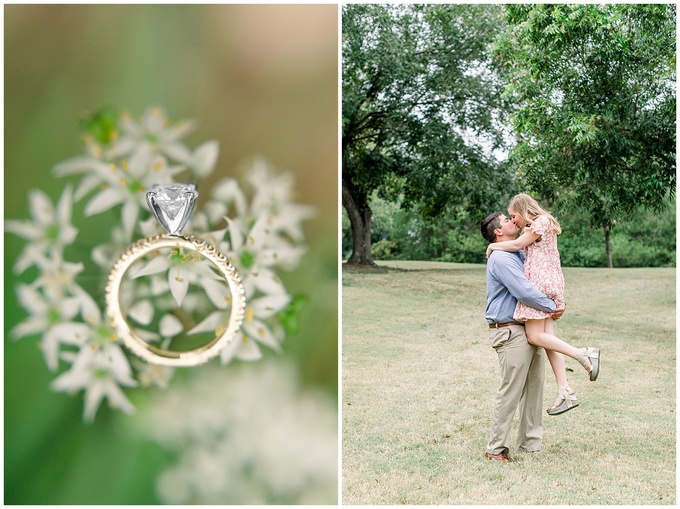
543	268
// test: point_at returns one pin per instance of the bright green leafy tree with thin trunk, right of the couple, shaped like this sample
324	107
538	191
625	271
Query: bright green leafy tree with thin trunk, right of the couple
595	90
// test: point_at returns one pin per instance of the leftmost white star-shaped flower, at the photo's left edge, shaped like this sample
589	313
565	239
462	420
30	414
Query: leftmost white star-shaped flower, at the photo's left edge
50	229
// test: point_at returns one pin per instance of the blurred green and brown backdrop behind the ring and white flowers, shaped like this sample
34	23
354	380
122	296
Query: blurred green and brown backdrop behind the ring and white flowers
261	79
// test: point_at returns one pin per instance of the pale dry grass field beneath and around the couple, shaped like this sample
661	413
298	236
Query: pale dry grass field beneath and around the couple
419	377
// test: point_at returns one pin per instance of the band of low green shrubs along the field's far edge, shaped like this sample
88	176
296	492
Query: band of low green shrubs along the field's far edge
645	239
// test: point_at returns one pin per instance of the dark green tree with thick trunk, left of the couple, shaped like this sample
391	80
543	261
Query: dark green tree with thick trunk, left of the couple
421	110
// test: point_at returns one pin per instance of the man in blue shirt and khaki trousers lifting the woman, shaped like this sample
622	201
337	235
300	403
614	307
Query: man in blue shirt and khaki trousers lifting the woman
521	364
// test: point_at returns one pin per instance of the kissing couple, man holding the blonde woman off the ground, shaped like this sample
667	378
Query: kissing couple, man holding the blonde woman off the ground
524	295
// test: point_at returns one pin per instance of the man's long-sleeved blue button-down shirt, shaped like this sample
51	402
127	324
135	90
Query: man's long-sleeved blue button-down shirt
506	284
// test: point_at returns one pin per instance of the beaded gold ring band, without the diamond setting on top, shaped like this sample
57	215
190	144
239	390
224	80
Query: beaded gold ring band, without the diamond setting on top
151	353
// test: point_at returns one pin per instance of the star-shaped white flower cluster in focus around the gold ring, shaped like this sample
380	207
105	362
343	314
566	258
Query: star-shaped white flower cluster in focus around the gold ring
123	158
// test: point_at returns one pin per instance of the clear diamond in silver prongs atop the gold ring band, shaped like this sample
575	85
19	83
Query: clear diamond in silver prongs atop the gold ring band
172	205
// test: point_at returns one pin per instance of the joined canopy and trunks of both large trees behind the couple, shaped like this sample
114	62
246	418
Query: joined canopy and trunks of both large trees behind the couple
429	91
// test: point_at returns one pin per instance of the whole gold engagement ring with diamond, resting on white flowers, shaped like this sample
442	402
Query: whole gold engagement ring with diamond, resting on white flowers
172	206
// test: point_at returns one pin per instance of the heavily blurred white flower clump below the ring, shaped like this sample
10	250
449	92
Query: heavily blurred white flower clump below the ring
246	436
